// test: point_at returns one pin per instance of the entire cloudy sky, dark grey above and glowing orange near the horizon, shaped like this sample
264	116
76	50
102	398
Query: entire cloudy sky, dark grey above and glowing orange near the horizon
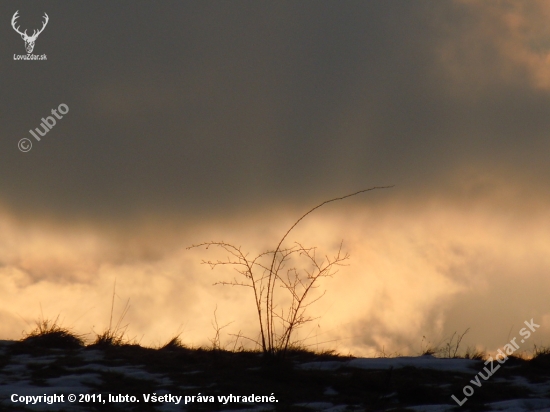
205	121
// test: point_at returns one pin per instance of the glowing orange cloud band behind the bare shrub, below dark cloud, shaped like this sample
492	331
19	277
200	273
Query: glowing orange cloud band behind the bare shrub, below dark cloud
420	268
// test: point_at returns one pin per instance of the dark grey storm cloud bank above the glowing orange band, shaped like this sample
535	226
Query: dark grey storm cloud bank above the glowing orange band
191	106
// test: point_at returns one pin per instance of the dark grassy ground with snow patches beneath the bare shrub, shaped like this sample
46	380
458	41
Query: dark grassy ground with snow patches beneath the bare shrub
204	379
